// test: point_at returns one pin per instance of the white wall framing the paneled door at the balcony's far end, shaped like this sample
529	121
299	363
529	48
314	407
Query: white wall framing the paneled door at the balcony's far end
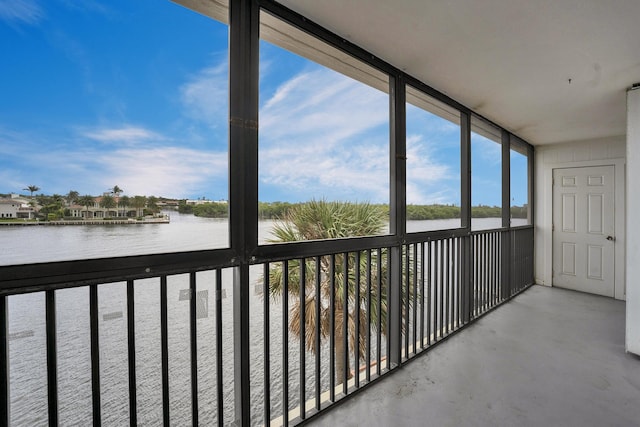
608	151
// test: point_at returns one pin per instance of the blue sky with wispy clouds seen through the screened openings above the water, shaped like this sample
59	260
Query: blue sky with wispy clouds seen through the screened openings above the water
134	94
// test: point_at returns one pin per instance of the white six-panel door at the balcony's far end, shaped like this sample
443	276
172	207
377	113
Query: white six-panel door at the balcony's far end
583	229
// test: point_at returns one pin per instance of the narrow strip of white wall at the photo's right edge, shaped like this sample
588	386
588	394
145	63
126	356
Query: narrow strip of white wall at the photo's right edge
633	225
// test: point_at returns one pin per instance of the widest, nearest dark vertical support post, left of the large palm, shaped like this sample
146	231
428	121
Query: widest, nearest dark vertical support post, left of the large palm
244	38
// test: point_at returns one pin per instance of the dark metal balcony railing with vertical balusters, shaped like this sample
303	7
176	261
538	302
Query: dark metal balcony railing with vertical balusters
323	325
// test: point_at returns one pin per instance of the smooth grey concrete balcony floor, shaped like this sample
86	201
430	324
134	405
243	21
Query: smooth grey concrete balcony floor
550	357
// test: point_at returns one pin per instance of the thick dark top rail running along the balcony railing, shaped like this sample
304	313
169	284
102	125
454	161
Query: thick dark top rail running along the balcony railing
61	274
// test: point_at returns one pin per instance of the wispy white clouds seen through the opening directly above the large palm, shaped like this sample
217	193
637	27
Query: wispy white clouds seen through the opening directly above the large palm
325	135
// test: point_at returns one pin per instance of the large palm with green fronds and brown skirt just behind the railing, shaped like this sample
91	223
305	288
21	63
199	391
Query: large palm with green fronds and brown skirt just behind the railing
316	220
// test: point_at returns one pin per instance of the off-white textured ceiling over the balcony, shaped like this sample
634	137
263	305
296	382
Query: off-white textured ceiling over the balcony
549	70
